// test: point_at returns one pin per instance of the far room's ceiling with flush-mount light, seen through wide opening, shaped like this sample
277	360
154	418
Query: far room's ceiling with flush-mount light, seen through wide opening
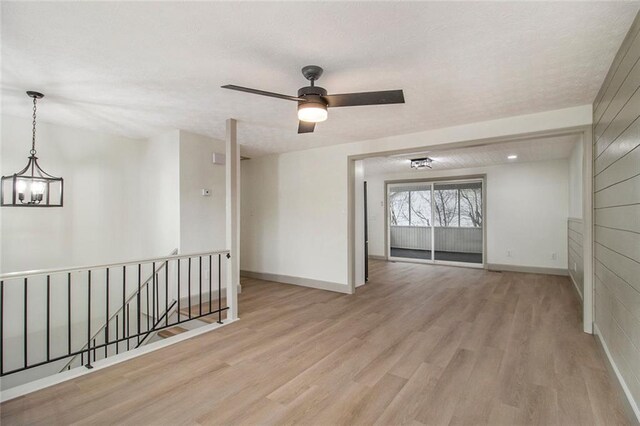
551	148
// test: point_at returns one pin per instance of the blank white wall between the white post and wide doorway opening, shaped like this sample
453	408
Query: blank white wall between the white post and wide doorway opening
294	215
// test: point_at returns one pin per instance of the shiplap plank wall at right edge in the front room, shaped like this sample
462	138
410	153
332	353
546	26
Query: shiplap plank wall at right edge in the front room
616	149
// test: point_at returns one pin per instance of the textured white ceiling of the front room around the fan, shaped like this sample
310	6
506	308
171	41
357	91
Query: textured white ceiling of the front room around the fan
138	68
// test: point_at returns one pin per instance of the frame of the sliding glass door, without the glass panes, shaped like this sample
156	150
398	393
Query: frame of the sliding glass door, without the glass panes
431	182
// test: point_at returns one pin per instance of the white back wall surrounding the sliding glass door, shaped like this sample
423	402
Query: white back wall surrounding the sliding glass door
526	211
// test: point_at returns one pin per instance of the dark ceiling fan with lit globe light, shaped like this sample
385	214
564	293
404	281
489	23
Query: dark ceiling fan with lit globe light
313	100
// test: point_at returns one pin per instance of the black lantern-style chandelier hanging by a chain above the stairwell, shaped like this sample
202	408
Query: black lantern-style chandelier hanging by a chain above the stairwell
31	186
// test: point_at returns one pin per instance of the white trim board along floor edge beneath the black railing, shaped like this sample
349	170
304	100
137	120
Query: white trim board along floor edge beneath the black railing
46	382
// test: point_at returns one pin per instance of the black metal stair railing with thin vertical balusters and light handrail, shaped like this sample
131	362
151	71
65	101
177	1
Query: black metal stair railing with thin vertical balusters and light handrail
64	318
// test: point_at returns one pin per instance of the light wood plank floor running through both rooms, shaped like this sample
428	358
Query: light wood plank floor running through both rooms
419	344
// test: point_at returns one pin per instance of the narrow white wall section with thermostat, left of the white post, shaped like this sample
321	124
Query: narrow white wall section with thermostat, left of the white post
202	218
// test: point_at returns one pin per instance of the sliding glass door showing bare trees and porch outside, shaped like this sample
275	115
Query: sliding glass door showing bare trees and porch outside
439	222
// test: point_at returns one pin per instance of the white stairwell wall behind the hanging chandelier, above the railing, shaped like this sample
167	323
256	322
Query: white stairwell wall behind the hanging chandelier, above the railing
115	207
